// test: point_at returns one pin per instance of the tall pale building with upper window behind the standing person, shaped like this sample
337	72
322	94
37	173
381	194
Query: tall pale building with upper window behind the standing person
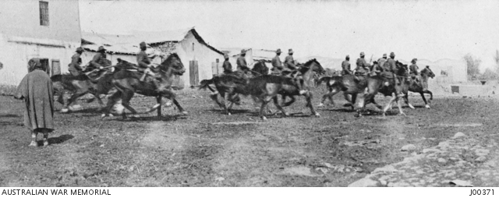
48	29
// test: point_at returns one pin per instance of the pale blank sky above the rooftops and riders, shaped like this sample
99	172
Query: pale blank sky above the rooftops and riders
421	29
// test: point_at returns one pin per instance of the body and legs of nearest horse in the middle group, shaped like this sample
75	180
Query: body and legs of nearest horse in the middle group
267	87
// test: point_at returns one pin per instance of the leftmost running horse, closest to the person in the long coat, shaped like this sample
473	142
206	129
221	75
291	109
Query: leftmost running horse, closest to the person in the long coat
80	85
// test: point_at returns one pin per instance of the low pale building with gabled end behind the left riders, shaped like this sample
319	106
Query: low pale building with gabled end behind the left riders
199	58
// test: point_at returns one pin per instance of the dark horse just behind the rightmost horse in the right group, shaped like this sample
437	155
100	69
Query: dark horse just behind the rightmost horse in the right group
387	87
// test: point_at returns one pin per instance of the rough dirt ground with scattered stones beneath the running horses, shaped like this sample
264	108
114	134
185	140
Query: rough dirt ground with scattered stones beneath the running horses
208	148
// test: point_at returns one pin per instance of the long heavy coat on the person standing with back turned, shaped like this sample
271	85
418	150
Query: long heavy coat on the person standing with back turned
37	91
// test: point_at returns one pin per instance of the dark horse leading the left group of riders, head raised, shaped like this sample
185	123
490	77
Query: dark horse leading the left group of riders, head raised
127	83
